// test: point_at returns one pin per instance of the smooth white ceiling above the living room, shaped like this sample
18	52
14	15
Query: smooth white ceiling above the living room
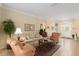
48	10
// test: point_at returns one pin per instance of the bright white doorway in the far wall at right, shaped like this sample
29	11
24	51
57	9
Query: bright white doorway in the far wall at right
66	28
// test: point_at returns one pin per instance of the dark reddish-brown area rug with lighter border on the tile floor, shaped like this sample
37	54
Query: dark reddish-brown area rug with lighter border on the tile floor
46	49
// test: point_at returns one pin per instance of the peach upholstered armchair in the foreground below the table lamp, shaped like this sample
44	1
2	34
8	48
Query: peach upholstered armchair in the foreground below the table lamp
21	48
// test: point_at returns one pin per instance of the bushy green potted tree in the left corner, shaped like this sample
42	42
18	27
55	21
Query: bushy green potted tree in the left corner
8	27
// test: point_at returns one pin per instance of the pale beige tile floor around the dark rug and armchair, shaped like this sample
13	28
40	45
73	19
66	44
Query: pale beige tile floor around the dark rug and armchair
69	47
